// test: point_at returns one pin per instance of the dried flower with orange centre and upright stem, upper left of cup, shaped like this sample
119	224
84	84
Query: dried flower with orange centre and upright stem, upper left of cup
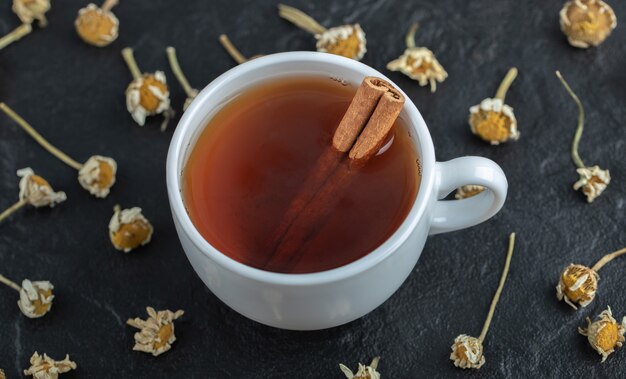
147	94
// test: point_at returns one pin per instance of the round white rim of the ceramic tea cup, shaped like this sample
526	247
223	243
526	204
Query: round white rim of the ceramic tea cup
189	124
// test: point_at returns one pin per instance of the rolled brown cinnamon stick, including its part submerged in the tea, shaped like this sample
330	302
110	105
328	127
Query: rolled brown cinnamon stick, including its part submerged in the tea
359	136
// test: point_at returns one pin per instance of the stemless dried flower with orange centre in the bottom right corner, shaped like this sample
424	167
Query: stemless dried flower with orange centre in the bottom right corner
604	335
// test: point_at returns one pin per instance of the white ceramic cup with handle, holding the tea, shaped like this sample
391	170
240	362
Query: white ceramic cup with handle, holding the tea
334	297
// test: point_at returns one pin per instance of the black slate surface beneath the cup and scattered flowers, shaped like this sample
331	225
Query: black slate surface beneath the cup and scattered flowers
73	94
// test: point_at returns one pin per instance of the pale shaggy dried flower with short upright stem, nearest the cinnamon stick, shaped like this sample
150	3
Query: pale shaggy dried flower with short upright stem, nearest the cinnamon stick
419	63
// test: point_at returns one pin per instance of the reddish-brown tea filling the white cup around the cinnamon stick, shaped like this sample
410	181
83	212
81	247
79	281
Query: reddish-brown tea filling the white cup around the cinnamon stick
257	151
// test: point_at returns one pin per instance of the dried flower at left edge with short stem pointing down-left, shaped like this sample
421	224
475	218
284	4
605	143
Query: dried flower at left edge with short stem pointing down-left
34	190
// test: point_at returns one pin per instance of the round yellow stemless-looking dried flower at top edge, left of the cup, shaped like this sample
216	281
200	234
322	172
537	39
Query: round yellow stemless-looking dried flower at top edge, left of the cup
98	26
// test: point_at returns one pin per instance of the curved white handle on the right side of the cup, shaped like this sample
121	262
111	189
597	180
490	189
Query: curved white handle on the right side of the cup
450	215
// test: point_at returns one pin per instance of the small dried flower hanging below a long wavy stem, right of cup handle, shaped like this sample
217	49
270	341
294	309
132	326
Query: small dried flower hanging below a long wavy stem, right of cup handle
593	180
